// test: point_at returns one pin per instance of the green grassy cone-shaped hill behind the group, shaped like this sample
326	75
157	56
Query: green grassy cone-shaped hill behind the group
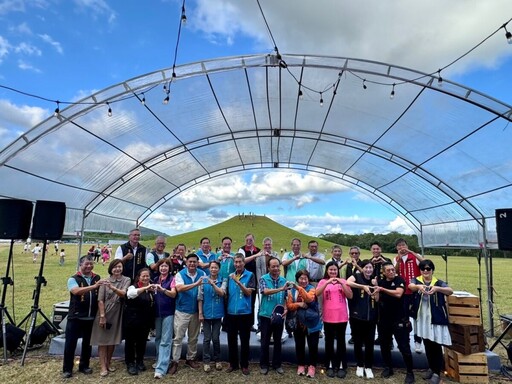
237	227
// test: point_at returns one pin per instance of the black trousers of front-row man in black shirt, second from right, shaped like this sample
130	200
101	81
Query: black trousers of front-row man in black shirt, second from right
401	334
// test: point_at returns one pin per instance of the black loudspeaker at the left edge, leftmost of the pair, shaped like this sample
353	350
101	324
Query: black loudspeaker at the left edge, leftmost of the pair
15	218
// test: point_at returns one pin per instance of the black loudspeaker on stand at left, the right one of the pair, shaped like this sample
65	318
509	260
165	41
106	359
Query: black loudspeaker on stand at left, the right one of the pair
49	218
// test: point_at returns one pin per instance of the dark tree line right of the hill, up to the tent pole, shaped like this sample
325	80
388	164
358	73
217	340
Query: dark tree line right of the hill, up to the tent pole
387	241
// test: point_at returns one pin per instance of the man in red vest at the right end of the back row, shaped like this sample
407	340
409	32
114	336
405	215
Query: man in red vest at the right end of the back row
407	263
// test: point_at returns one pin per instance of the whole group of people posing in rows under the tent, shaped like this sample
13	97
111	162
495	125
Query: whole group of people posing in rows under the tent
304	293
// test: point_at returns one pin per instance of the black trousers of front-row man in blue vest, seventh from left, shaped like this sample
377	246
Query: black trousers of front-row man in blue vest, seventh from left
239	325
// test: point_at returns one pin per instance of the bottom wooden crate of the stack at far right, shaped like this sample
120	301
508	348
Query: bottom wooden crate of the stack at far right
466	368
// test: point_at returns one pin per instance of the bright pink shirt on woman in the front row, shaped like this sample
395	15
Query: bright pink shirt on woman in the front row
334	306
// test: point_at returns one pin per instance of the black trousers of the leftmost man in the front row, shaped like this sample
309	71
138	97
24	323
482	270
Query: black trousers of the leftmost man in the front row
76	329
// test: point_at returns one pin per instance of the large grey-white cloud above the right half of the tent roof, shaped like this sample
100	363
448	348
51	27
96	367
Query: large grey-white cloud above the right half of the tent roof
395	32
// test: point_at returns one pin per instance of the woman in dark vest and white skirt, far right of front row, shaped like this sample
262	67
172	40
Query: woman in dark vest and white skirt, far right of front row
431	317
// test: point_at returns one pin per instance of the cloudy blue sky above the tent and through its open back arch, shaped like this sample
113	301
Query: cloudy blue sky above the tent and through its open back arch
67	49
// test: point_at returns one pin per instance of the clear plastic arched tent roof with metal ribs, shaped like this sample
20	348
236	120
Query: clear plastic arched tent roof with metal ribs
437	155
